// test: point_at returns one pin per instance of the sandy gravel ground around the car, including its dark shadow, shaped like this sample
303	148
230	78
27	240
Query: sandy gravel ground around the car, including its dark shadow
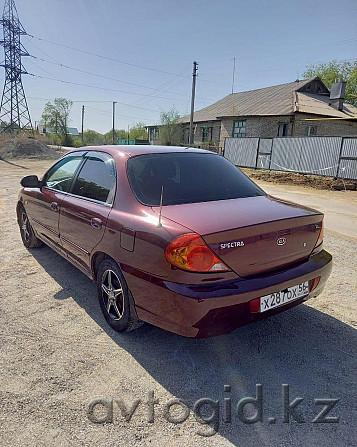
58	353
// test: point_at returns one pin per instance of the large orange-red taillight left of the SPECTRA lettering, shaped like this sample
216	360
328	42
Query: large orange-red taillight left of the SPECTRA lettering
189	252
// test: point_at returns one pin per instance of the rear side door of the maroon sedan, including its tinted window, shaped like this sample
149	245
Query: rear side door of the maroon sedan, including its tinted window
85	210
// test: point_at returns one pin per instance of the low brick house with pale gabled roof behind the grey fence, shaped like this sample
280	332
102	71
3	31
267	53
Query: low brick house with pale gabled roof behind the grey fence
277	111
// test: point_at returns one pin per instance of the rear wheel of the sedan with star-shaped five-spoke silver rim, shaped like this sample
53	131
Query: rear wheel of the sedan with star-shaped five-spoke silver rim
115	298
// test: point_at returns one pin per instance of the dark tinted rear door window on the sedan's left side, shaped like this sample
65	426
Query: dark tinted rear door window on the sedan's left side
96	179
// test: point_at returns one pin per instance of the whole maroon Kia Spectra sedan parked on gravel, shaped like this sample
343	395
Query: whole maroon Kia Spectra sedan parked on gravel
176	237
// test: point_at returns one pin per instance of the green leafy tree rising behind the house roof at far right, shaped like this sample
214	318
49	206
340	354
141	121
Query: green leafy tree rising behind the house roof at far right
330	71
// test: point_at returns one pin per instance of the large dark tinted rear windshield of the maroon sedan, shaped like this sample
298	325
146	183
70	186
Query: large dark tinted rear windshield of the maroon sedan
187	178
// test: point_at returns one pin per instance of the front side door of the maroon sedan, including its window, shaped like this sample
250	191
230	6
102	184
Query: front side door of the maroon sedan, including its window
45	203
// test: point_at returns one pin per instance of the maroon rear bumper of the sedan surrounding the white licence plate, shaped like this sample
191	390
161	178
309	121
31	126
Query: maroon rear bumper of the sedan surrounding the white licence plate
211	309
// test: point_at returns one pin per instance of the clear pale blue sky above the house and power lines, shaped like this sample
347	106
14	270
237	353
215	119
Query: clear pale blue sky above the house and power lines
147	49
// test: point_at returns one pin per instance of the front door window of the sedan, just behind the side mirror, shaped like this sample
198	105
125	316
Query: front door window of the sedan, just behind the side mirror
60	176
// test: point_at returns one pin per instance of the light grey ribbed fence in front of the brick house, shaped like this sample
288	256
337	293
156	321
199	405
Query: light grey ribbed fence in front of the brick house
329	156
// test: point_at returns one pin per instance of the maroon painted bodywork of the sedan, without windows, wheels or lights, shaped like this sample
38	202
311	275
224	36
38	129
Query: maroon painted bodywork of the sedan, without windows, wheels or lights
187	303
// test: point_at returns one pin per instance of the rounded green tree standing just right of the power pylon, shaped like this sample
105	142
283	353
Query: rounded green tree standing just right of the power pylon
55	117
